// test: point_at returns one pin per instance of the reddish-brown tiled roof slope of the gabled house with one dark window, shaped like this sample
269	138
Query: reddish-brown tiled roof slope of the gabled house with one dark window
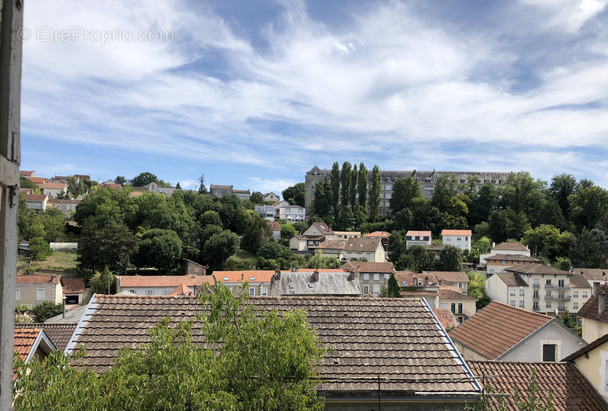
496	328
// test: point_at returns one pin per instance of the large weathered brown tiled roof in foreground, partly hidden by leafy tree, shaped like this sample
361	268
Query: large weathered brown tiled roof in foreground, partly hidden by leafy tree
395	340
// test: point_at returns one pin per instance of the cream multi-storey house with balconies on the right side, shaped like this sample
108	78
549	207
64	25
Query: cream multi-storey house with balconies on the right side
538	288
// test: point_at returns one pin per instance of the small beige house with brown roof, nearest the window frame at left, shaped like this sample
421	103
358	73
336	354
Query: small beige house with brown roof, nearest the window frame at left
34	289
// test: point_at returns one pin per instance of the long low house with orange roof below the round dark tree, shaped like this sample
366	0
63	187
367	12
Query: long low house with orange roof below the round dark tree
158	284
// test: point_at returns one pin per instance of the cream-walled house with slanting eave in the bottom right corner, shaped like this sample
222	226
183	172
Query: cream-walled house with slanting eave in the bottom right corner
592	362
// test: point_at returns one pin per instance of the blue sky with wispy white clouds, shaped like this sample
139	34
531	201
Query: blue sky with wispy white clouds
255	93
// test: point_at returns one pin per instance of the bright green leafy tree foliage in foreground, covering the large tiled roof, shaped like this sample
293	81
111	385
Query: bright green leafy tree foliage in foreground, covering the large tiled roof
265	361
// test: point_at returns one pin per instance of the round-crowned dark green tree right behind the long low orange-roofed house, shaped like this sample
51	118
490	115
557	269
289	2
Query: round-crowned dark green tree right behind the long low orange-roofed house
159	248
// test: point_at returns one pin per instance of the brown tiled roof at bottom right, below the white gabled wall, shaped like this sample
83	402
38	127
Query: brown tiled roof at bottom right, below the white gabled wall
570	390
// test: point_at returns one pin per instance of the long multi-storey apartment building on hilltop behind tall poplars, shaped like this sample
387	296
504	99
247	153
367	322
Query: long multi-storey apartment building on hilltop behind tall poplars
426	179
